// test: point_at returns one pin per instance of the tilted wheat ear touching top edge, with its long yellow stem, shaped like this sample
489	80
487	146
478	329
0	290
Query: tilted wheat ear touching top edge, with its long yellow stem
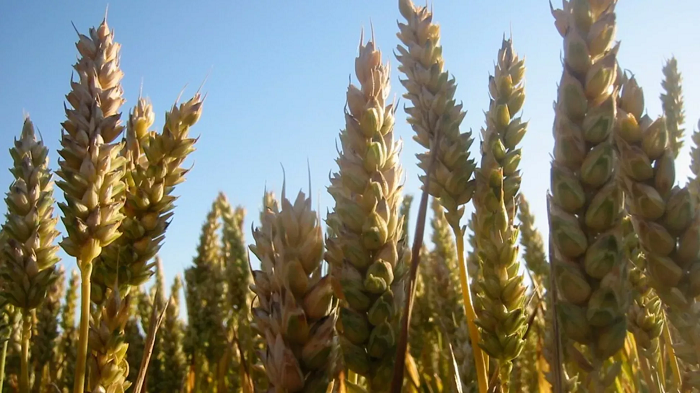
436	118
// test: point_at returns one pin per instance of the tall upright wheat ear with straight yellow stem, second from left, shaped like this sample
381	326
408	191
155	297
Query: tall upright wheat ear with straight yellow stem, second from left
91	168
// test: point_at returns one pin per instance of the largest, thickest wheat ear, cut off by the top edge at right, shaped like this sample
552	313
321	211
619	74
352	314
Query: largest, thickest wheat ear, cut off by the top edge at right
586	202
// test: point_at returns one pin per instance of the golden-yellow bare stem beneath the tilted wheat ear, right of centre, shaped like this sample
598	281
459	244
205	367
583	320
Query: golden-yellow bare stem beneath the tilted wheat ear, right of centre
479	357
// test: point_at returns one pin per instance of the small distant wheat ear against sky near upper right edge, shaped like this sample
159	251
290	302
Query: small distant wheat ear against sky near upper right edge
672	103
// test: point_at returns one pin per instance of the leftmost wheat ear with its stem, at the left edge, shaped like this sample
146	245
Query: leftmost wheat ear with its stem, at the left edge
29	254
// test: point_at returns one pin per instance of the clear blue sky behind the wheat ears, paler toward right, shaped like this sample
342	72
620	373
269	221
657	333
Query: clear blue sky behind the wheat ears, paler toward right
277	76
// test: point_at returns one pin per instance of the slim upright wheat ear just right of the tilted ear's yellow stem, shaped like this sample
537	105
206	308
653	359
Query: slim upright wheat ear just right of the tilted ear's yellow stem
500	296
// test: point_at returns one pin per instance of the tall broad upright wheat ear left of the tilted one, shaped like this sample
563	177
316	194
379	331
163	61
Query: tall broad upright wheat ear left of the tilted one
368	255
